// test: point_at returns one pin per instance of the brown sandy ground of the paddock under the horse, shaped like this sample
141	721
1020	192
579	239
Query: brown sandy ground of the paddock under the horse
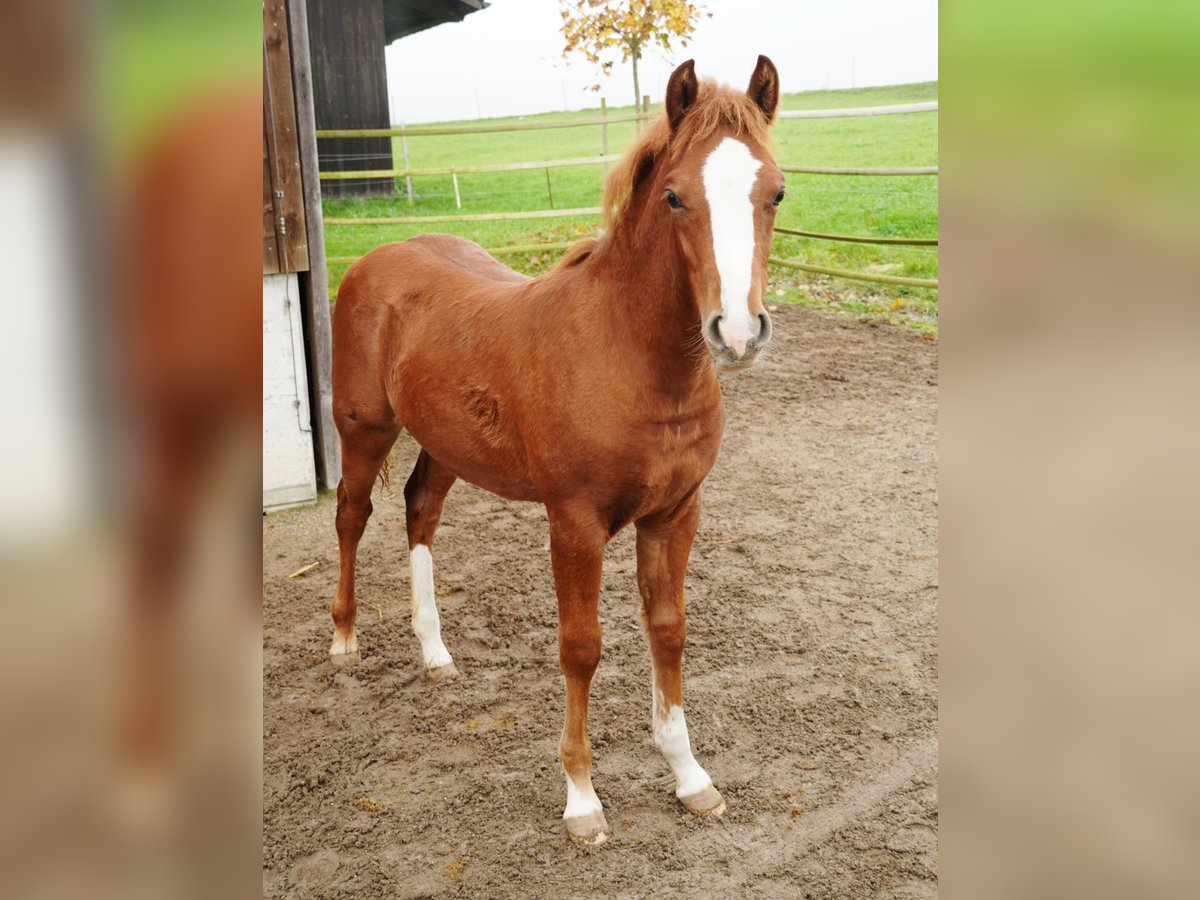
811	674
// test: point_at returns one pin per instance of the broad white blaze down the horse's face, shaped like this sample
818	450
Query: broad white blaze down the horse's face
729	177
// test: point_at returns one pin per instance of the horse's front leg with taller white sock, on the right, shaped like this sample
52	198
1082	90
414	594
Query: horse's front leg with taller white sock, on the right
664	543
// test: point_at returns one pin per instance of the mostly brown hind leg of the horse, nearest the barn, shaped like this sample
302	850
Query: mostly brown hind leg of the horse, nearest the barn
364	452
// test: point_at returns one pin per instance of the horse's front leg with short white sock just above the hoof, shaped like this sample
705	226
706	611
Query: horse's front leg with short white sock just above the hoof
577	549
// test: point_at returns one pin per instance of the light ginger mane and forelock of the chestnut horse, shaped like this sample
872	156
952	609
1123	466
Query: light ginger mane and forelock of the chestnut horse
716	107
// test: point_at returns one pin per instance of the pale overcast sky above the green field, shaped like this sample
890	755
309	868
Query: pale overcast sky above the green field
507	59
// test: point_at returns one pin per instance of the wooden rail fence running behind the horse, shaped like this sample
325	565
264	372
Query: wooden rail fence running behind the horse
604	121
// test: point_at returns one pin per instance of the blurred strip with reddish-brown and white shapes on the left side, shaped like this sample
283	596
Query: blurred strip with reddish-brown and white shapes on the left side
131	703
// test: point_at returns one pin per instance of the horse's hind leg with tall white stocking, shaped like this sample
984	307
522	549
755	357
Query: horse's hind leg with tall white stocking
424	497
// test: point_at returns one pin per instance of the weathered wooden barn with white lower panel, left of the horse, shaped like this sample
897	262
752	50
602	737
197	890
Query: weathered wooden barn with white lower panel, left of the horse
323	68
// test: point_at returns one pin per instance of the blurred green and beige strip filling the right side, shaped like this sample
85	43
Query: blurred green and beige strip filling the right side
1070	439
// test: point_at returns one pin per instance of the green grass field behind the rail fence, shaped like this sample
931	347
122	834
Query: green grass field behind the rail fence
839	205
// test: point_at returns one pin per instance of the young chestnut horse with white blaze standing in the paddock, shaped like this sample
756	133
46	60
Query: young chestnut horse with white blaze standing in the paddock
592	389
